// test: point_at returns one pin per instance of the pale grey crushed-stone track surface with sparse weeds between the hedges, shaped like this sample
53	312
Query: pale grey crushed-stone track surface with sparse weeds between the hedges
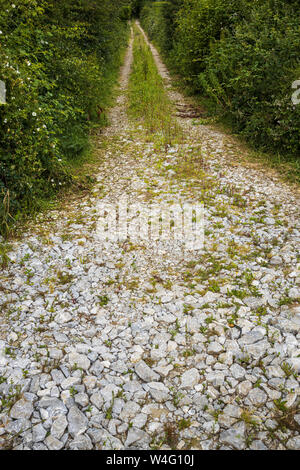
144	345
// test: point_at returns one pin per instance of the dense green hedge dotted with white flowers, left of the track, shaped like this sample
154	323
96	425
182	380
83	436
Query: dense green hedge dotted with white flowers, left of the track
58	61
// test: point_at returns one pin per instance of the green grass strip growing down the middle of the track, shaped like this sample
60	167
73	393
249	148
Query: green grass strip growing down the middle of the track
148	101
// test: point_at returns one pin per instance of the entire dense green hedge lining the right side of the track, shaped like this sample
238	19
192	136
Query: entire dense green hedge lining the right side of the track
242	57
